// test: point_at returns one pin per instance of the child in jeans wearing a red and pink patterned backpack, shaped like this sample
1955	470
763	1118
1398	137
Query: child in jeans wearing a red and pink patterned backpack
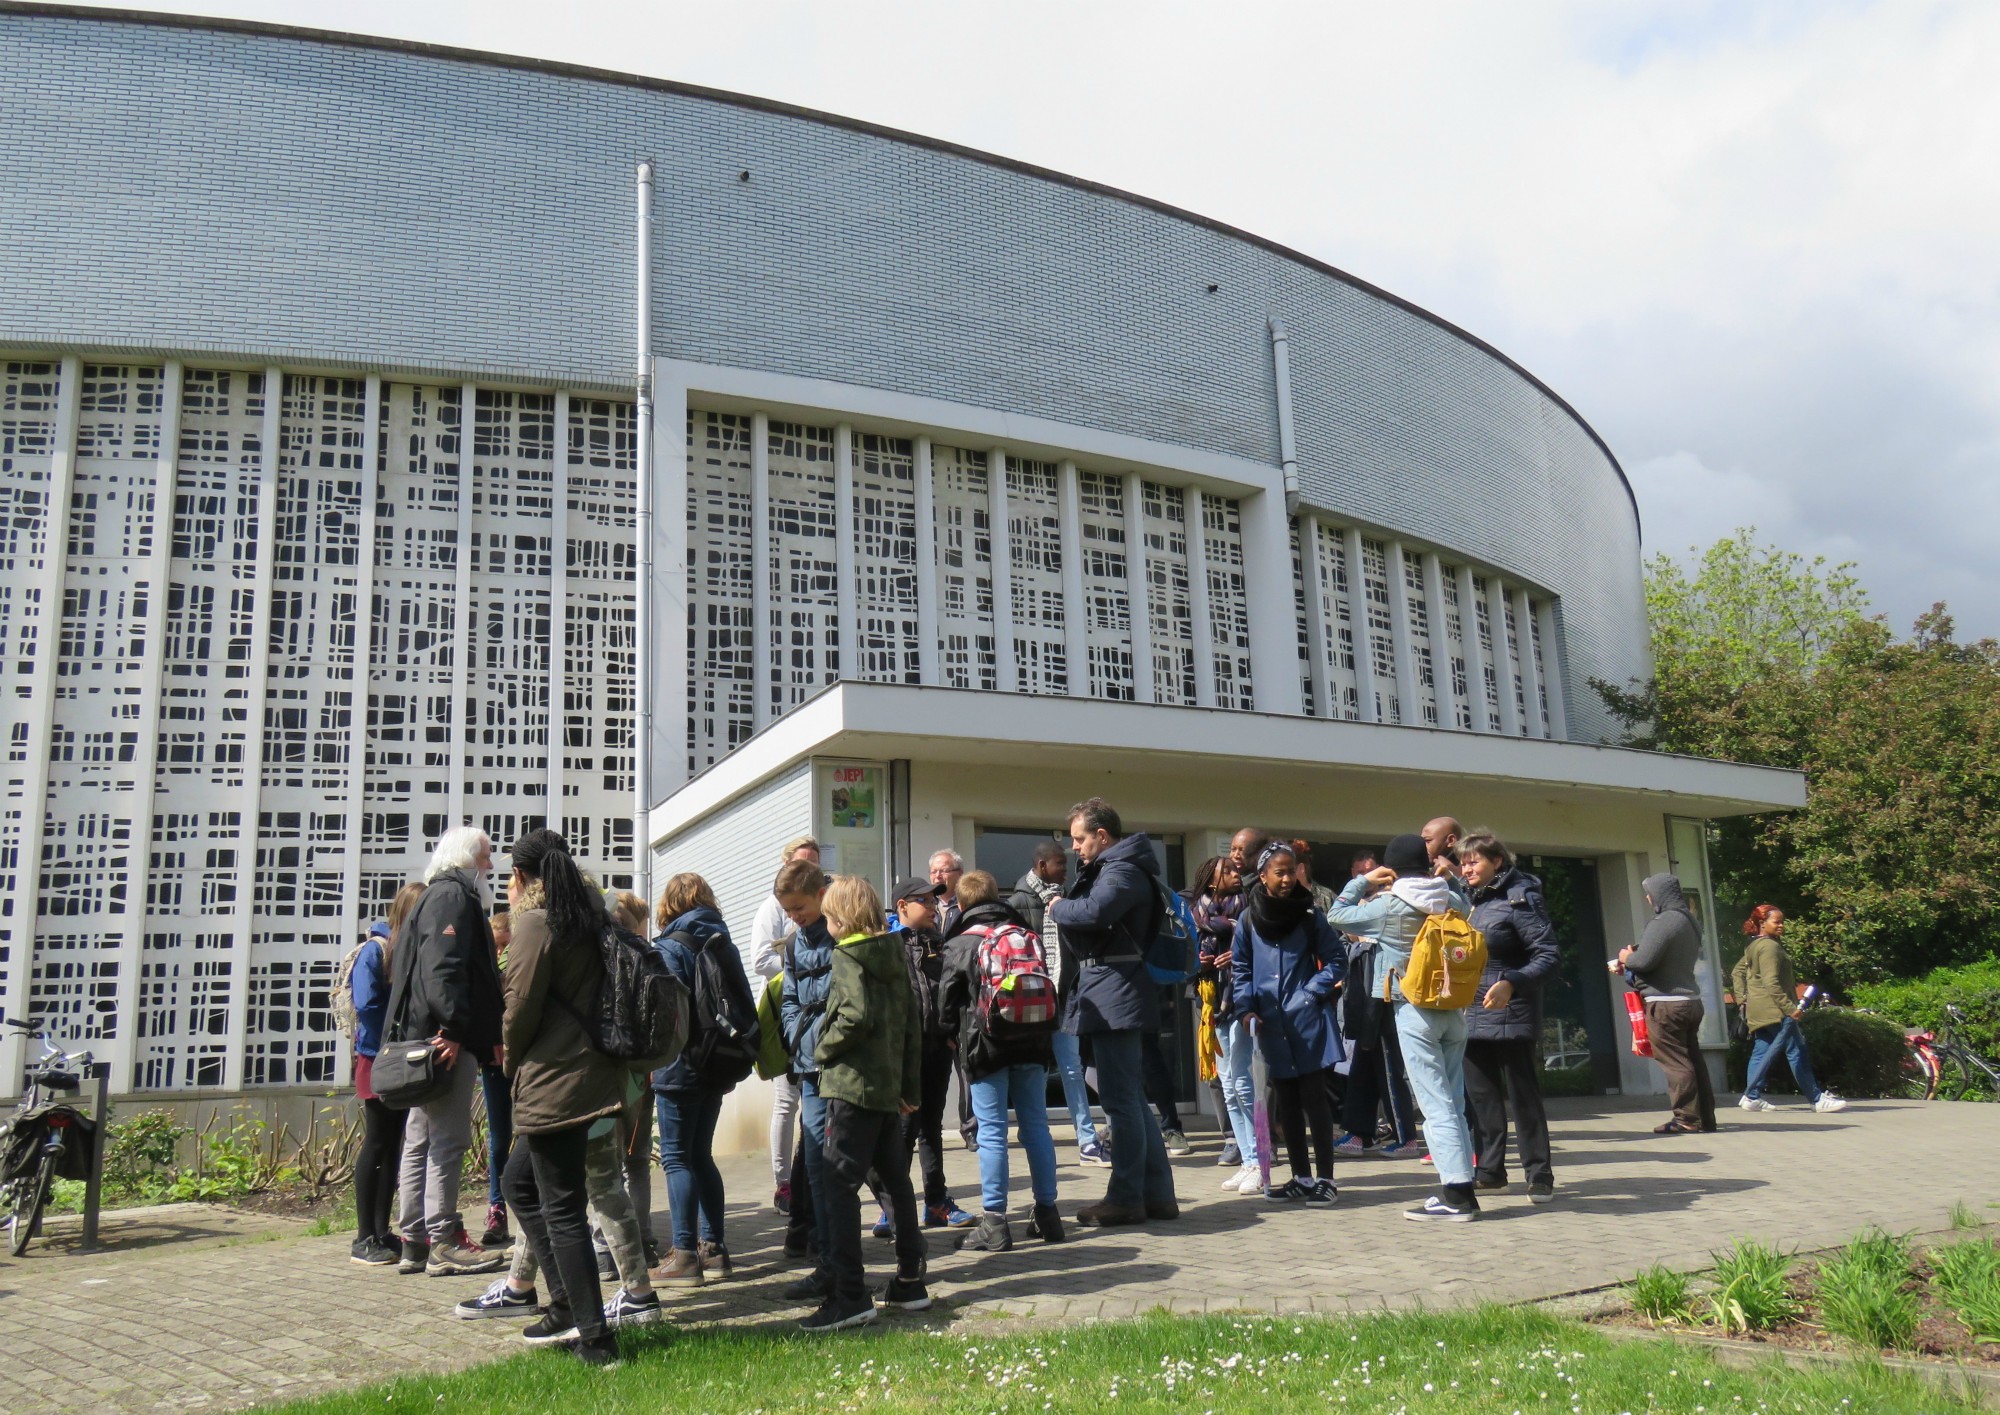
1001	1002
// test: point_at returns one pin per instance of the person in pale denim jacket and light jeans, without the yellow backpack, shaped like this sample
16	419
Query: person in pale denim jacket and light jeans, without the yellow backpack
1391	906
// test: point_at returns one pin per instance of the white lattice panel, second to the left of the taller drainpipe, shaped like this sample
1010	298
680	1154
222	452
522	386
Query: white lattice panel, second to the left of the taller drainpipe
511	617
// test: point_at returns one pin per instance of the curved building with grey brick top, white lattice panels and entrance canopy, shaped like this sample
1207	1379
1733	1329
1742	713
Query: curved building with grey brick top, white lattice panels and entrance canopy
973	491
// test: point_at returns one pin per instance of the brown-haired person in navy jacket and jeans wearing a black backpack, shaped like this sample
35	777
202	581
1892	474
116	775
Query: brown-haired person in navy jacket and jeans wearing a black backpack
723	1048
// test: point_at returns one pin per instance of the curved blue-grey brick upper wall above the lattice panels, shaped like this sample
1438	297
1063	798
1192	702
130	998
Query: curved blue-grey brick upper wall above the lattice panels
185	187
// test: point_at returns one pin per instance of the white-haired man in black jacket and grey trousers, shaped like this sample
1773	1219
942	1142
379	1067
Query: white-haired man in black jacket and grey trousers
447	978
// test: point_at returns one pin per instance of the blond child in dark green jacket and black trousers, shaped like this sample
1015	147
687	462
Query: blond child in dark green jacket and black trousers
871	1074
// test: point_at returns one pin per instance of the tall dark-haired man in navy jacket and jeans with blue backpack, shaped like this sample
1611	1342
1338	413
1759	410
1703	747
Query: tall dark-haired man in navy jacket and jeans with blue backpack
1107	920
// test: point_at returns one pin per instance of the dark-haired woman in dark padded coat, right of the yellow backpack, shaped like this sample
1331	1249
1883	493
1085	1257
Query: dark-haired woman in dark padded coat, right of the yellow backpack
1507	1026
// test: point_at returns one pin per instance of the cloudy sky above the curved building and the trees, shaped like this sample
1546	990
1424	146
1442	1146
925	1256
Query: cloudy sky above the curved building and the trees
1755	245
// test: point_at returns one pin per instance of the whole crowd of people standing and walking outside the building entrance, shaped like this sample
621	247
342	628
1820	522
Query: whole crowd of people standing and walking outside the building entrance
1329	1026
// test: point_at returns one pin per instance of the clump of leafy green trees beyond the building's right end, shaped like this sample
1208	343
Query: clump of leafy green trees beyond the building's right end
1763	657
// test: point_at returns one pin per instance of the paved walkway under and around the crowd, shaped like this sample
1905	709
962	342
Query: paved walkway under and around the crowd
195	1308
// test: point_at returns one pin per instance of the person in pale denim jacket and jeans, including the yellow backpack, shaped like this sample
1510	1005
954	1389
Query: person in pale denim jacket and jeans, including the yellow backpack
1429	964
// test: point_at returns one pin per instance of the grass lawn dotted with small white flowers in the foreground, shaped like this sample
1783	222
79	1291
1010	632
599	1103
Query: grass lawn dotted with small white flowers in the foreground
1489	1360
